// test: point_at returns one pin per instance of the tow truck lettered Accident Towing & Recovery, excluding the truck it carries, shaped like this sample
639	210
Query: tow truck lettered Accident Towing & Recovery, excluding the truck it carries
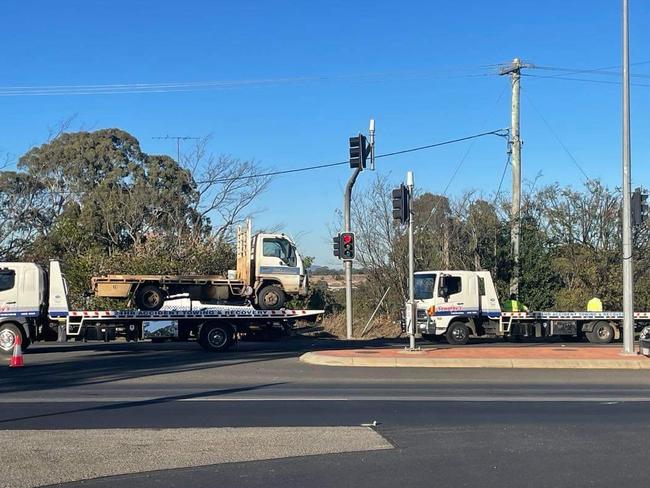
34	303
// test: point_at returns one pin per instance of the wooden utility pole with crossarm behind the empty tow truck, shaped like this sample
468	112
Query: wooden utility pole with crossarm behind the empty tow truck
514	70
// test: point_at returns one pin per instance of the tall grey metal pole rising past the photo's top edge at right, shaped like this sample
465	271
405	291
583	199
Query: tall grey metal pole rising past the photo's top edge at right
628	291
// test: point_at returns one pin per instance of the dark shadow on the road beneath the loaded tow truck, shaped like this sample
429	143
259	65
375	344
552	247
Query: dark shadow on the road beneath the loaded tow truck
59	366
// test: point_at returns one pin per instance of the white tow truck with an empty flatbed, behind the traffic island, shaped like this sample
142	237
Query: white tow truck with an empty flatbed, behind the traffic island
460	304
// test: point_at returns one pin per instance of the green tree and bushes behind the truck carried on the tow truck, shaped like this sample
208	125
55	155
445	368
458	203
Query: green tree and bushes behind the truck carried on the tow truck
99	204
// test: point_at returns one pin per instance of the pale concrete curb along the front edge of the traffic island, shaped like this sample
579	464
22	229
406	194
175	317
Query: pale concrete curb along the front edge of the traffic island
420	362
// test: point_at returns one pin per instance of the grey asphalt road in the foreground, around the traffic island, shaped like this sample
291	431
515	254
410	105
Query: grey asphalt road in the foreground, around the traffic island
347	426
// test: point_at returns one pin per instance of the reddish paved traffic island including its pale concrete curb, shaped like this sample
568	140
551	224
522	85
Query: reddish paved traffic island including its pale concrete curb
546	357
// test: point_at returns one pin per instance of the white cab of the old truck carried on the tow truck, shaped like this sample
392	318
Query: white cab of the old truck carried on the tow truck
279	261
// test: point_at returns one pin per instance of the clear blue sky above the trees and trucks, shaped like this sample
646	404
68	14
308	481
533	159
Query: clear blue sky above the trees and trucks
429	48
